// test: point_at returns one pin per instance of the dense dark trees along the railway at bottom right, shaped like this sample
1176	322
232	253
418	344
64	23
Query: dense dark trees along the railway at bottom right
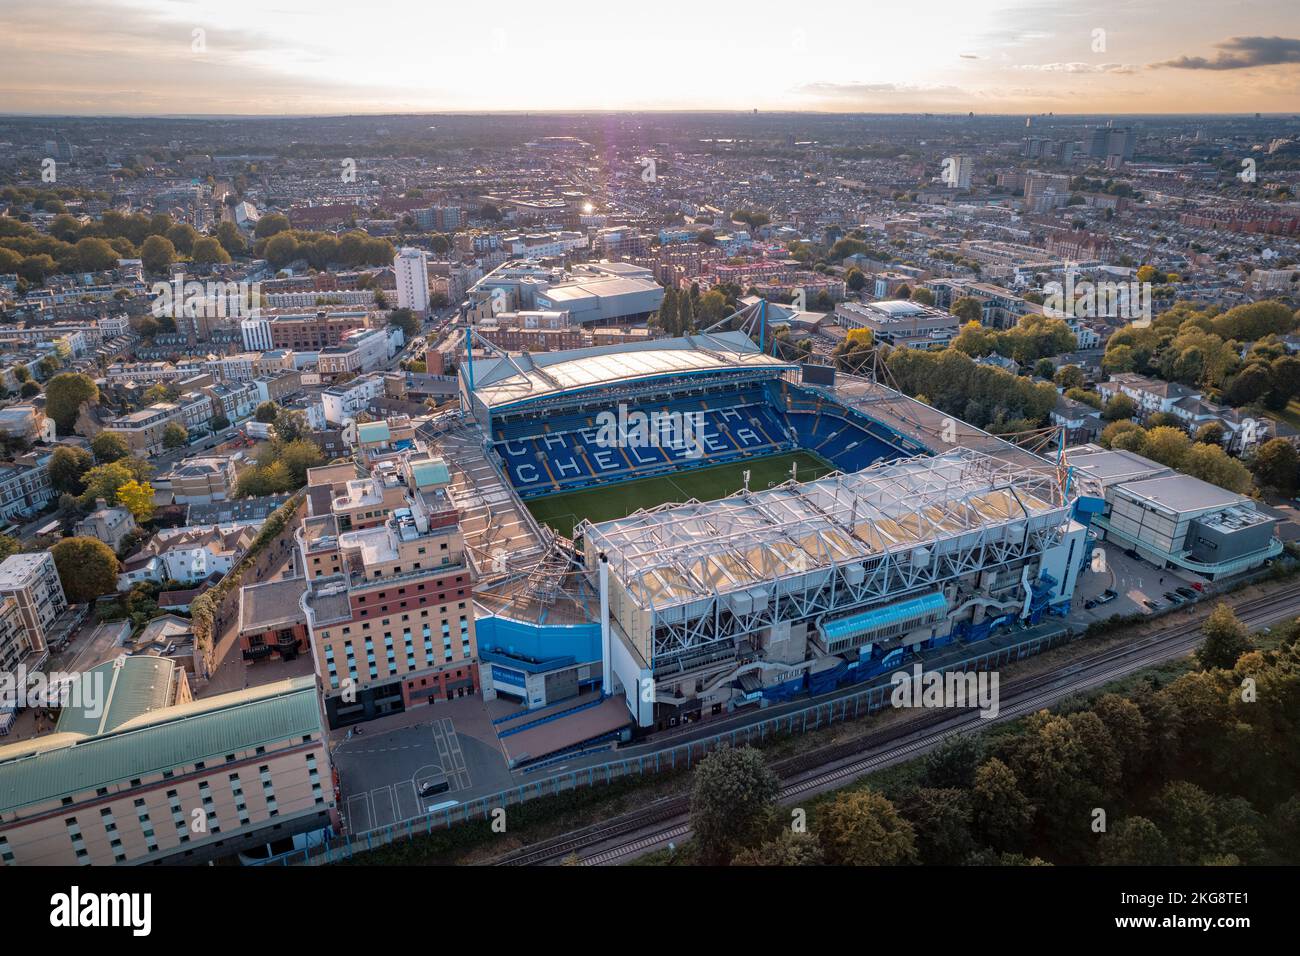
1198	772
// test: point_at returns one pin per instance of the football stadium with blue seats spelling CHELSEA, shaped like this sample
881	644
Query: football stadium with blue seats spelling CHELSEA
679	529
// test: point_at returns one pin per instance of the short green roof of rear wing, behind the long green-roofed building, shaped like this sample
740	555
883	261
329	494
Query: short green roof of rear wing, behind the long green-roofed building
118	693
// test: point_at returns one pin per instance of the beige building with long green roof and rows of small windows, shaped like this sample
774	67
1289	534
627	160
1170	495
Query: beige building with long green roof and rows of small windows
161	778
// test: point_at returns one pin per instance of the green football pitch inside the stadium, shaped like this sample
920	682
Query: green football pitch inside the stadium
562	512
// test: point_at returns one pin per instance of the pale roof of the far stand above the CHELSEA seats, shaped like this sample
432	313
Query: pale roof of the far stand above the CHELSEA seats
505	383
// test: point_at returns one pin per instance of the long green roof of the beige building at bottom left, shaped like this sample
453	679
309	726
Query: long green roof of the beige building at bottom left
202	730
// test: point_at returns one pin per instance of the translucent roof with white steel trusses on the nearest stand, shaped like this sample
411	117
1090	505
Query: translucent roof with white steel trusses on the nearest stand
682	553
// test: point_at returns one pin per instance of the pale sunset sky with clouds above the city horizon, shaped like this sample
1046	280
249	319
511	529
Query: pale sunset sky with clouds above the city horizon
336	57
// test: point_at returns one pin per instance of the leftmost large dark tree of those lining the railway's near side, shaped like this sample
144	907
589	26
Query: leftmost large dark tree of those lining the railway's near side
733	802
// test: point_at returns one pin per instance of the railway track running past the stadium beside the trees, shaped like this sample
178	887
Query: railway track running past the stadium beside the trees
830	768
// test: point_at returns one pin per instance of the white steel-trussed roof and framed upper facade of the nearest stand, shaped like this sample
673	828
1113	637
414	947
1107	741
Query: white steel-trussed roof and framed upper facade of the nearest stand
714	574
